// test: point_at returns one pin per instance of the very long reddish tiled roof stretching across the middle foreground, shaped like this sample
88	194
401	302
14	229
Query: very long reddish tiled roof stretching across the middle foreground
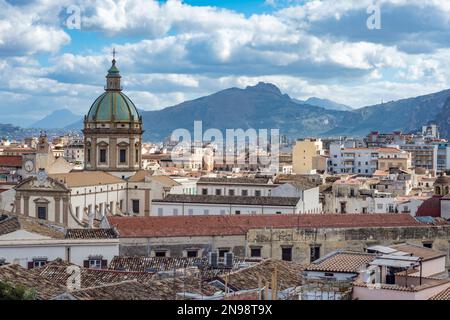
174	226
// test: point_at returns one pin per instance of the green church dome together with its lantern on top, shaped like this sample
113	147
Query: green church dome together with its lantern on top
113	105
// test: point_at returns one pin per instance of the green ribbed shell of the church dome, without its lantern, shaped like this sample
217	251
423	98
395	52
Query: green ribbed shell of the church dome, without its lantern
113	106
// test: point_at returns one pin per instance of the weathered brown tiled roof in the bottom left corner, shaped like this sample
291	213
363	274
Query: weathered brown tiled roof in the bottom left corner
16	275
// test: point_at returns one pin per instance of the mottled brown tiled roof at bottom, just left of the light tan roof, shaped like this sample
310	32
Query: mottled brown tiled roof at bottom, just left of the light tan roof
288	275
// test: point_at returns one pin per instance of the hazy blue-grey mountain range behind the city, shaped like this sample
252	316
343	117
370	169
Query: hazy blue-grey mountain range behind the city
264	106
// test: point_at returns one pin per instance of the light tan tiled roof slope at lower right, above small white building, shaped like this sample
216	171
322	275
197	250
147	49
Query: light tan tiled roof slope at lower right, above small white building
342	261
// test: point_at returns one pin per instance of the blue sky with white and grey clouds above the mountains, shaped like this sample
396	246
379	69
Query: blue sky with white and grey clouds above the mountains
172	51
